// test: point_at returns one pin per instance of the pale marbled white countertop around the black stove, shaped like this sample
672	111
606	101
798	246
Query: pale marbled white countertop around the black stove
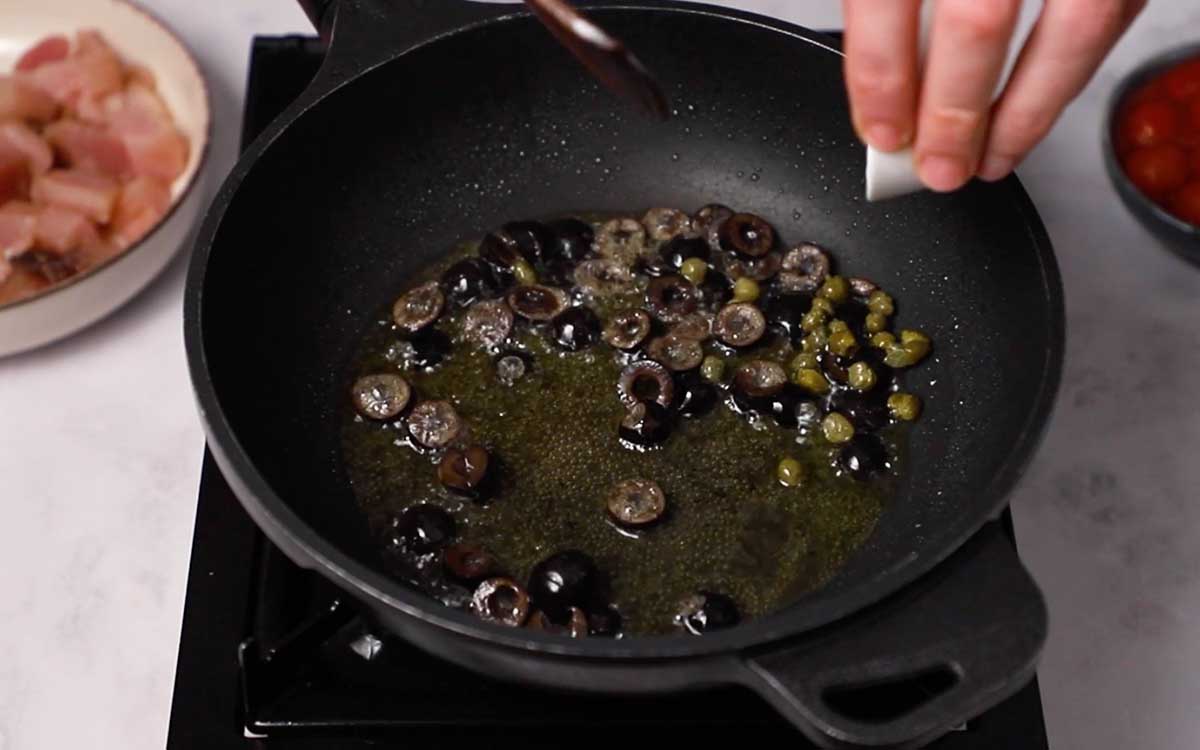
100	457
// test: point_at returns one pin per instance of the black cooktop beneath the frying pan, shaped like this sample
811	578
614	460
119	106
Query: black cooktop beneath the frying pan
274	658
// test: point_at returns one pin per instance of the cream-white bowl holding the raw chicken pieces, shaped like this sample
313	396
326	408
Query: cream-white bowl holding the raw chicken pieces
140	38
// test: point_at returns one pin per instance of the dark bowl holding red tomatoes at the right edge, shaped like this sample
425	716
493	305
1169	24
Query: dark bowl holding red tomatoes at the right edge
1177	235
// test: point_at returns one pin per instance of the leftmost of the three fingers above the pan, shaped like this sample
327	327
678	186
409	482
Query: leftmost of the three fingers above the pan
883	69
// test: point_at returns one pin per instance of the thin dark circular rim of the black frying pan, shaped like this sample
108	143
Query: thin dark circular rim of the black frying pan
275	517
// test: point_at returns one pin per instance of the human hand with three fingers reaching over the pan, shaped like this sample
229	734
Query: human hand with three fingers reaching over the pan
949	112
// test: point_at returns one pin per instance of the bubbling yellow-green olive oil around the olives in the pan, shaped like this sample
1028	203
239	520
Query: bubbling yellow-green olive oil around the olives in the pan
730	526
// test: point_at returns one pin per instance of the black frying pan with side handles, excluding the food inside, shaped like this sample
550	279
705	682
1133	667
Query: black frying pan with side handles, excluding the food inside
431	122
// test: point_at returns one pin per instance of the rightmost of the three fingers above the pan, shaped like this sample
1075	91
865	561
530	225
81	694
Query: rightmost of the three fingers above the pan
1066	47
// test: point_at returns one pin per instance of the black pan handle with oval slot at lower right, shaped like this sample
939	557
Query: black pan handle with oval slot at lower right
941	653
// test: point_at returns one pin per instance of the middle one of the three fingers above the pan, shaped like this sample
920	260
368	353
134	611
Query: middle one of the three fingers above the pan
969	46
